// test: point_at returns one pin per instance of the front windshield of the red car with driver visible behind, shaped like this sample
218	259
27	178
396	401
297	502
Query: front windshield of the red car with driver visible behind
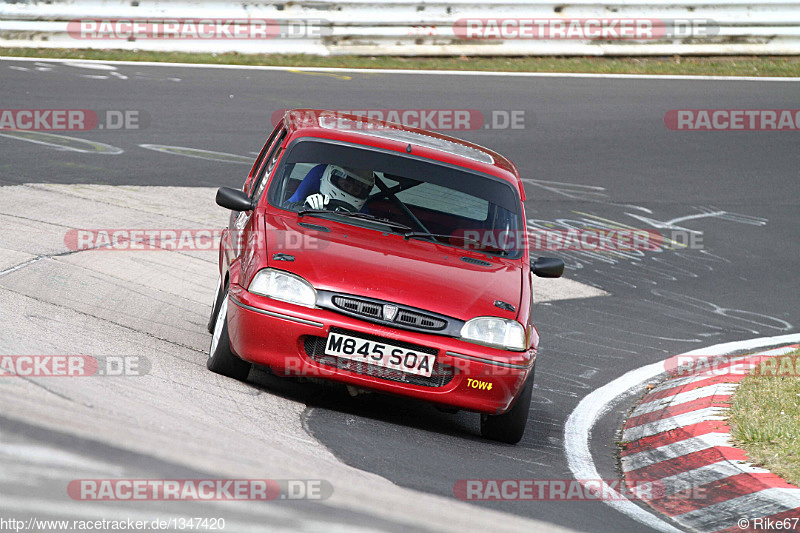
418	198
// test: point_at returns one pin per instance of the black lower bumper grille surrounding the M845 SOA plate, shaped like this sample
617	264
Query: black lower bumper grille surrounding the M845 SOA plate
441	375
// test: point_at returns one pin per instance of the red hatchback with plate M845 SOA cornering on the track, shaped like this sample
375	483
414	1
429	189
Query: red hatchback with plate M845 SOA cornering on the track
384	257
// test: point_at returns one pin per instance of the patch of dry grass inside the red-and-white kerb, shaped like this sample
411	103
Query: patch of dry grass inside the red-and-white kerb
765	417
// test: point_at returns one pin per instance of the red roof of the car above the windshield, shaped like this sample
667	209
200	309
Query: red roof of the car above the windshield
359	129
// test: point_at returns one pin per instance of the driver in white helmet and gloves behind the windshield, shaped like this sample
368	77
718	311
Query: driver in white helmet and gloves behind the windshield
339	184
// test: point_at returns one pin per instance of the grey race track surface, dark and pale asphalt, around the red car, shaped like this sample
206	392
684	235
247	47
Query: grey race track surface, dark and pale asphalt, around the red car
593	152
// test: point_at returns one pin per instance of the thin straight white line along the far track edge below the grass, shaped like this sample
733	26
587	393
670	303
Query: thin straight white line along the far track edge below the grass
409	71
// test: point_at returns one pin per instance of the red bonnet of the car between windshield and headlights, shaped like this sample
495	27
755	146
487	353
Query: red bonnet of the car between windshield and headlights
417	273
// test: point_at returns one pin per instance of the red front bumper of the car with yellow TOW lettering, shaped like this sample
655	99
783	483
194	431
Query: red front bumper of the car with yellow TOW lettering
290	340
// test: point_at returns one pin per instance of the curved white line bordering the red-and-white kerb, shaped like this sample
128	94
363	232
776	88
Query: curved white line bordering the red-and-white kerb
581	422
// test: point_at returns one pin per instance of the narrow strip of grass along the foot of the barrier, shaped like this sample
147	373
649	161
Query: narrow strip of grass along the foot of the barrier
719	66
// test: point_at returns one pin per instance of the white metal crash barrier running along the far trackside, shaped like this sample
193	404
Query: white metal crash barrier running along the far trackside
402	27
